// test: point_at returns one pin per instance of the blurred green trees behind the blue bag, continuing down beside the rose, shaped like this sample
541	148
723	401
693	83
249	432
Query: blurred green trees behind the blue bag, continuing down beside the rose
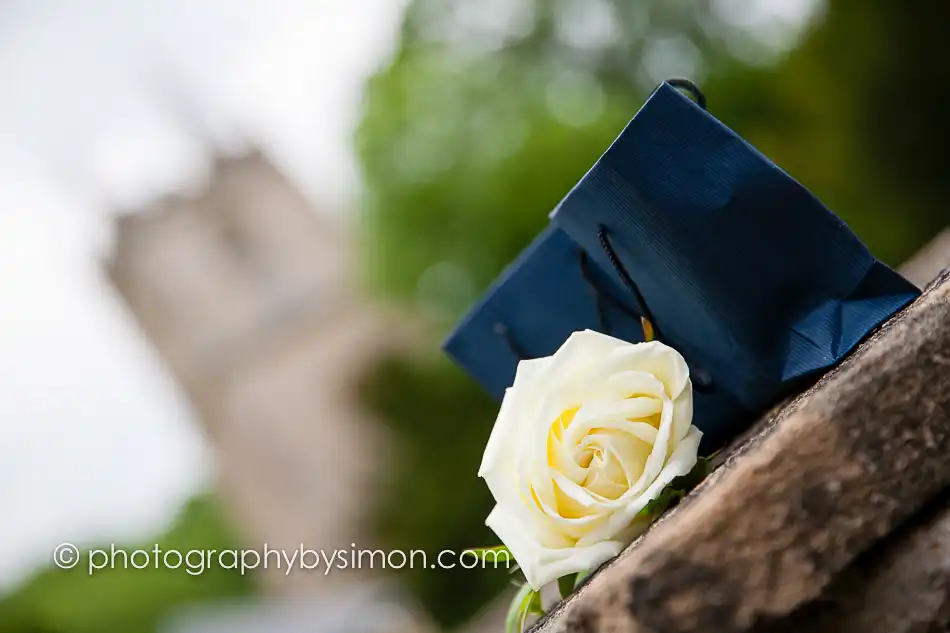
490	112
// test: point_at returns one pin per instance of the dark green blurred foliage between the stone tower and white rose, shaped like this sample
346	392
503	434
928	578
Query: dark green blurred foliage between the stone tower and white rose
431	498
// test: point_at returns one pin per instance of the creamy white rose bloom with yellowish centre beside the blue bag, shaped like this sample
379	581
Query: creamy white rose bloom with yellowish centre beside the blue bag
583	441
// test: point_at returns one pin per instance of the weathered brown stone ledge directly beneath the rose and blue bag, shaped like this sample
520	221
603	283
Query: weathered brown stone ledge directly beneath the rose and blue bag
828	476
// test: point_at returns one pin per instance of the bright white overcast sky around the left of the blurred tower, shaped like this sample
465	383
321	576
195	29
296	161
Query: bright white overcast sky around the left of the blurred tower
96	443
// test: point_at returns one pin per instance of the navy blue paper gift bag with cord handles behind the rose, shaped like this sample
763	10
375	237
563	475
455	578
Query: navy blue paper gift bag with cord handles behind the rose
738	267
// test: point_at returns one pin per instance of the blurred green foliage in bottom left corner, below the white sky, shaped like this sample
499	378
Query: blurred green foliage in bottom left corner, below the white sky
126	600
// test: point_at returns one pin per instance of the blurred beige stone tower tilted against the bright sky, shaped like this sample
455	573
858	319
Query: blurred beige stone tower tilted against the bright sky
247	295
